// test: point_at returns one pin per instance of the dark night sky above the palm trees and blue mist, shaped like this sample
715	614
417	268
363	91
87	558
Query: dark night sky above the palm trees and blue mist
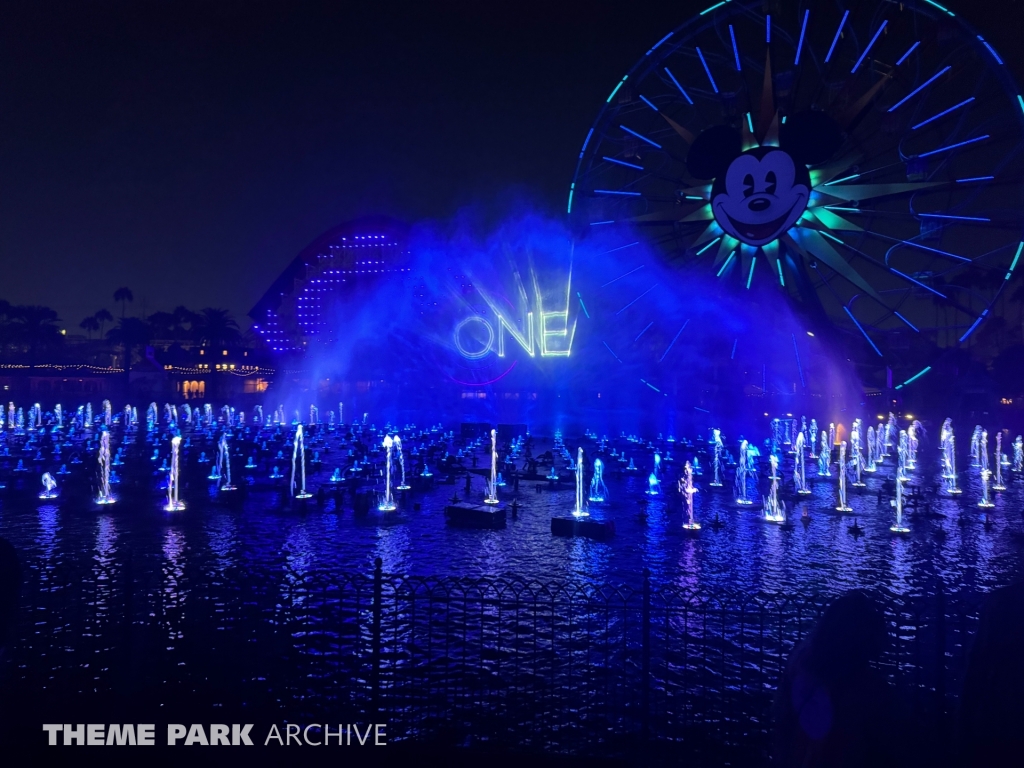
190	150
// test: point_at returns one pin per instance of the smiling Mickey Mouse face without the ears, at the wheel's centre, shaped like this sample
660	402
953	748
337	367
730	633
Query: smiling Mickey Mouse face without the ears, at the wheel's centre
760	196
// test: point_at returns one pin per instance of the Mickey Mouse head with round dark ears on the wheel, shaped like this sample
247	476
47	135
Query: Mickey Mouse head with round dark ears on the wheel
761	193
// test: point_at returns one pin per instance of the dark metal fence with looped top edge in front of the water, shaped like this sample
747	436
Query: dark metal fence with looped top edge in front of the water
656	671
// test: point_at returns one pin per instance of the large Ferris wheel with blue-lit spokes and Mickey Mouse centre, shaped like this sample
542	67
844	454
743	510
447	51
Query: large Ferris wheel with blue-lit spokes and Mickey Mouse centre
866	158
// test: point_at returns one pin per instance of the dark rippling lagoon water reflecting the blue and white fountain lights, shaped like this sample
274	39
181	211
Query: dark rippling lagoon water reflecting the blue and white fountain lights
250	599
